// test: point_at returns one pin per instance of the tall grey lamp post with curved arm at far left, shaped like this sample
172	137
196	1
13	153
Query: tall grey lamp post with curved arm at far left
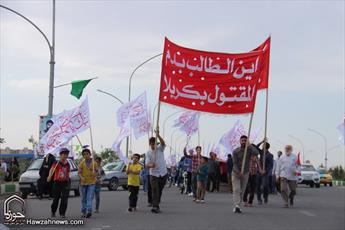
51	50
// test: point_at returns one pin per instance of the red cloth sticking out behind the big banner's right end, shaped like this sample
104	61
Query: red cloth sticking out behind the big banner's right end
263	79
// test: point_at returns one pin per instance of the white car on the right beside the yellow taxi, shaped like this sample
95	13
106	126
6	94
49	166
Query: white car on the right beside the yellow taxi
309	175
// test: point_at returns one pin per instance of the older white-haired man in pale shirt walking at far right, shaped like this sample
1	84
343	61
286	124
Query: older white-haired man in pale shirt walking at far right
286	172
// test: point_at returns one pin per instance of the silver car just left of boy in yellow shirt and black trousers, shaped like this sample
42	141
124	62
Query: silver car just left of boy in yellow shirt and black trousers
115	175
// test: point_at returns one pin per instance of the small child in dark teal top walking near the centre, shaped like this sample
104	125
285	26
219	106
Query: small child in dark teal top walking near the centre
201	180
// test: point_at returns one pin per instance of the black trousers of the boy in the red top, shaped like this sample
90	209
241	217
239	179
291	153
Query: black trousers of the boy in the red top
60	191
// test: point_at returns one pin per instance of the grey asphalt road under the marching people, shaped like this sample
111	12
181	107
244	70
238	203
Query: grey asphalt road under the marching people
315	209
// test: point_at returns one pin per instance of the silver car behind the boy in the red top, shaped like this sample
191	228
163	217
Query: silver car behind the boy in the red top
28	180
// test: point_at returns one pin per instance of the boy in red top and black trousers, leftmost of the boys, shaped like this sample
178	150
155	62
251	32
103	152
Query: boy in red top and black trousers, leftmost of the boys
59	175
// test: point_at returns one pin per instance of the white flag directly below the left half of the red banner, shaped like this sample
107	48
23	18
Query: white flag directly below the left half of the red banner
188	122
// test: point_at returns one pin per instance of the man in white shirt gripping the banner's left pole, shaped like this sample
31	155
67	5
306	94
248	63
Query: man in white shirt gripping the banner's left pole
158	169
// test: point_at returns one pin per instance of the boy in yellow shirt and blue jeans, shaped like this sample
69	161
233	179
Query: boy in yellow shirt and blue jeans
88	176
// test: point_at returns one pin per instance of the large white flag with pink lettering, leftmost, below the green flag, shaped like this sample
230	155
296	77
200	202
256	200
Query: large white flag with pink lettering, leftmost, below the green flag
66	125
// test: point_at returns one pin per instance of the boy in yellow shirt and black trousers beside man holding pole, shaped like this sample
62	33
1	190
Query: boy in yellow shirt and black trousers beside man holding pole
133	172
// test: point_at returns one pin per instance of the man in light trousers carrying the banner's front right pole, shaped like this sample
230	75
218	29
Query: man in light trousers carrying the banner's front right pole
239	176
